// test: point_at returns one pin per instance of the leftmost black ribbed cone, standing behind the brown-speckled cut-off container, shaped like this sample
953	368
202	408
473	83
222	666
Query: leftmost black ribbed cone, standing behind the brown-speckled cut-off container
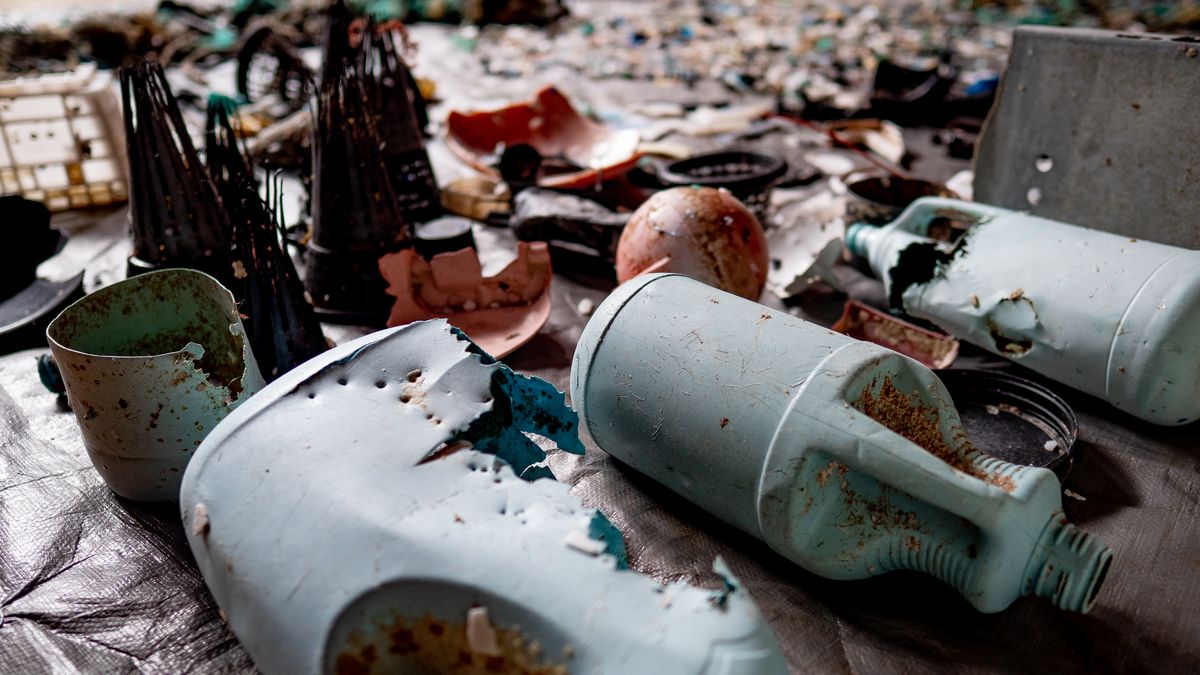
176	217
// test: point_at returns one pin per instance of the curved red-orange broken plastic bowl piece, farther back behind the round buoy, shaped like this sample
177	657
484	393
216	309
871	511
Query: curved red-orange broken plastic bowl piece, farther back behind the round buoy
553	127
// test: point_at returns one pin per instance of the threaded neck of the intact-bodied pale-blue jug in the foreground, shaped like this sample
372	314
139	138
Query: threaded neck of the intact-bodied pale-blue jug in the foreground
1069	566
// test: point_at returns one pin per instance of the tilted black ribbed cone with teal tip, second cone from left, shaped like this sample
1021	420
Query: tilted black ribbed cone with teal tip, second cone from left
283	327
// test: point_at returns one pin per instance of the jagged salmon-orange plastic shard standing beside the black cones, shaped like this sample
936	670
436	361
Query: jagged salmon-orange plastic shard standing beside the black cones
499	313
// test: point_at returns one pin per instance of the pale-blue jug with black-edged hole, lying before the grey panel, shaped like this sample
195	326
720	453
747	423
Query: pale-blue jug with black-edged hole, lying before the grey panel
1112	316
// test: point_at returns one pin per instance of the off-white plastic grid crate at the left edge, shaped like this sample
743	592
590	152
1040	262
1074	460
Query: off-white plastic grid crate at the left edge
62	140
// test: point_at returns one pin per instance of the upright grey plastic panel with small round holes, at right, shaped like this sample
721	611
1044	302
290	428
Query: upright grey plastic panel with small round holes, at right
1094	128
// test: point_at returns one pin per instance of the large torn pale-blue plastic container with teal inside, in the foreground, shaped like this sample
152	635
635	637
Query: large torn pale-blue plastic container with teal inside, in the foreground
345	523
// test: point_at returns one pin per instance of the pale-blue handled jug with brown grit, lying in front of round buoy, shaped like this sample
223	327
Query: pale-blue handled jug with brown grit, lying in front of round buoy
844	457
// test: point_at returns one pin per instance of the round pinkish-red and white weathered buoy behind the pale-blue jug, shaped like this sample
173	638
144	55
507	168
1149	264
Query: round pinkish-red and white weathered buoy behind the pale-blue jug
703	232
